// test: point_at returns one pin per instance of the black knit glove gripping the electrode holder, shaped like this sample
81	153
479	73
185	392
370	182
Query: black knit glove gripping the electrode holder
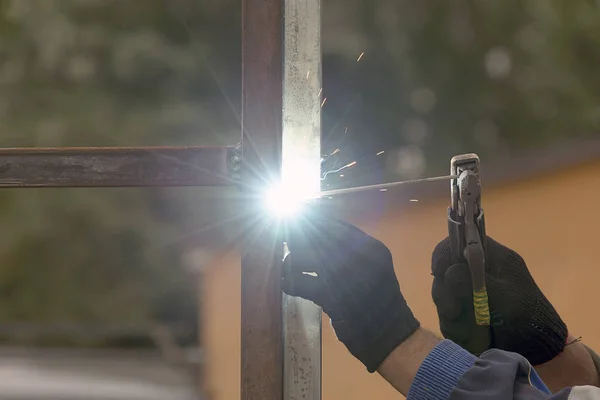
522	319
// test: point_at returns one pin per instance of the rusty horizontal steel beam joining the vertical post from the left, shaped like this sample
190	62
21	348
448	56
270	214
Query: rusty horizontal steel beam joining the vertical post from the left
115	167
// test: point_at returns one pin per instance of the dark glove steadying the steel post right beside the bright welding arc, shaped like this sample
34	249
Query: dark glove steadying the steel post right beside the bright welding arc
351	276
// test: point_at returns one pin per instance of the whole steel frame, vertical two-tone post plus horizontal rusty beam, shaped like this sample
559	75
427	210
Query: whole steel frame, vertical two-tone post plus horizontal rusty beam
268	336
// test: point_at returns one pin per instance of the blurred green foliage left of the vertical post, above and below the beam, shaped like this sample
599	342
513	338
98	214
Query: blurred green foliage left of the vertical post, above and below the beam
107	73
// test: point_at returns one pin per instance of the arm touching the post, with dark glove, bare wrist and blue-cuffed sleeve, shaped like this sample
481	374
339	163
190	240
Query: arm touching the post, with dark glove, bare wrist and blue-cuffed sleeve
351	275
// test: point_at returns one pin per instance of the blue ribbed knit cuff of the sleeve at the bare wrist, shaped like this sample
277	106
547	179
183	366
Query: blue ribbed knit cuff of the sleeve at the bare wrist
440	372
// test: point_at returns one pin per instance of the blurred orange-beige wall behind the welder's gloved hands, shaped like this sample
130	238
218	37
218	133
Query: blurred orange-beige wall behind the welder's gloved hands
552	221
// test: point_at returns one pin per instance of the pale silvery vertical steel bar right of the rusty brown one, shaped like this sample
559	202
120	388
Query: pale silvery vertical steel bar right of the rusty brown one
301	161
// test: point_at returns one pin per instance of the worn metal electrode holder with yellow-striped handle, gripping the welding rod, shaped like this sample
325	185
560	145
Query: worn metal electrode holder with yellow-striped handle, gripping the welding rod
466	227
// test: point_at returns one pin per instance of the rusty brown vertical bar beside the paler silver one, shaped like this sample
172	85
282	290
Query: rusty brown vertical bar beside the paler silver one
262	65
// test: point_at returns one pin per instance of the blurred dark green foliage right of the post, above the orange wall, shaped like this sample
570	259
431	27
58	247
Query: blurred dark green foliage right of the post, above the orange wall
440	78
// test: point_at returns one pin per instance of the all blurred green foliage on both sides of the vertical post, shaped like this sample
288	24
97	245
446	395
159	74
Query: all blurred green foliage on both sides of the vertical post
437	78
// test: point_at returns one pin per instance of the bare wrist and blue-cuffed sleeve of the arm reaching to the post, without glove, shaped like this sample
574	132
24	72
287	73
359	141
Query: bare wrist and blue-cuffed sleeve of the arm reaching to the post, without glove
424	367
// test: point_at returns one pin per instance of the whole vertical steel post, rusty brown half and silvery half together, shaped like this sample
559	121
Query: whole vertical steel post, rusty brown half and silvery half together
281	339
